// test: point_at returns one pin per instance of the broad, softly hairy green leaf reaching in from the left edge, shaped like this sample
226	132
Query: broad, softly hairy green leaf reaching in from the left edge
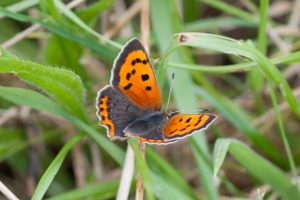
61	85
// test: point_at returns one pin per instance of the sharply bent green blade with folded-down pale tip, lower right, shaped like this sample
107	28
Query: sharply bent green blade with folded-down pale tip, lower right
260	168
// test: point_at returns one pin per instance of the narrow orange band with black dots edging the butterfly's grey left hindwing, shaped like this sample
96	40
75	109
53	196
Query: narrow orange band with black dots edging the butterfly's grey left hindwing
103	114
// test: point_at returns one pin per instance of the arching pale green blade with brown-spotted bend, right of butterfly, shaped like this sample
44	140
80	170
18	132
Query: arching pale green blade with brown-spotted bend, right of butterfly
231	46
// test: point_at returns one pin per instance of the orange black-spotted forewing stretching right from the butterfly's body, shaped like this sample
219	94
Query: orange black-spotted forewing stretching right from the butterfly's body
181	125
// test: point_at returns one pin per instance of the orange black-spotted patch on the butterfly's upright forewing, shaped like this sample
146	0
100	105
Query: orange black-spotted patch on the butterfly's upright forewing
138	81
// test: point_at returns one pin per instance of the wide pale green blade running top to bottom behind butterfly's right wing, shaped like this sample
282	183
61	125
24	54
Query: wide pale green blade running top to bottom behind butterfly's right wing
166	21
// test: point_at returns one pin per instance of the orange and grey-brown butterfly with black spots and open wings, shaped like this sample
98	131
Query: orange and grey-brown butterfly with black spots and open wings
130	106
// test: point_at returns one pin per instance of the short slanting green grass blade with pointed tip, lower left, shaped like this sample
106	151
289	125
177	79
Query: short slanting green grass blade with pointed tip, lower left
53	168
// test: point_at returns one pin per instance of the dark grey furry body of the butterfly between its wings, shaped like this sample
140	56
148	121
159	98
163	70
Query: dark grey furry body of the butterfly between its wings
149	123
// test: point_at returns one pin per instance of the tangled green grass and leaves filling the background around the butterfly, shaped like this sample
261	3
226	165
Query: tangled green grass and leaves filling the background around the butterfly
240	59
